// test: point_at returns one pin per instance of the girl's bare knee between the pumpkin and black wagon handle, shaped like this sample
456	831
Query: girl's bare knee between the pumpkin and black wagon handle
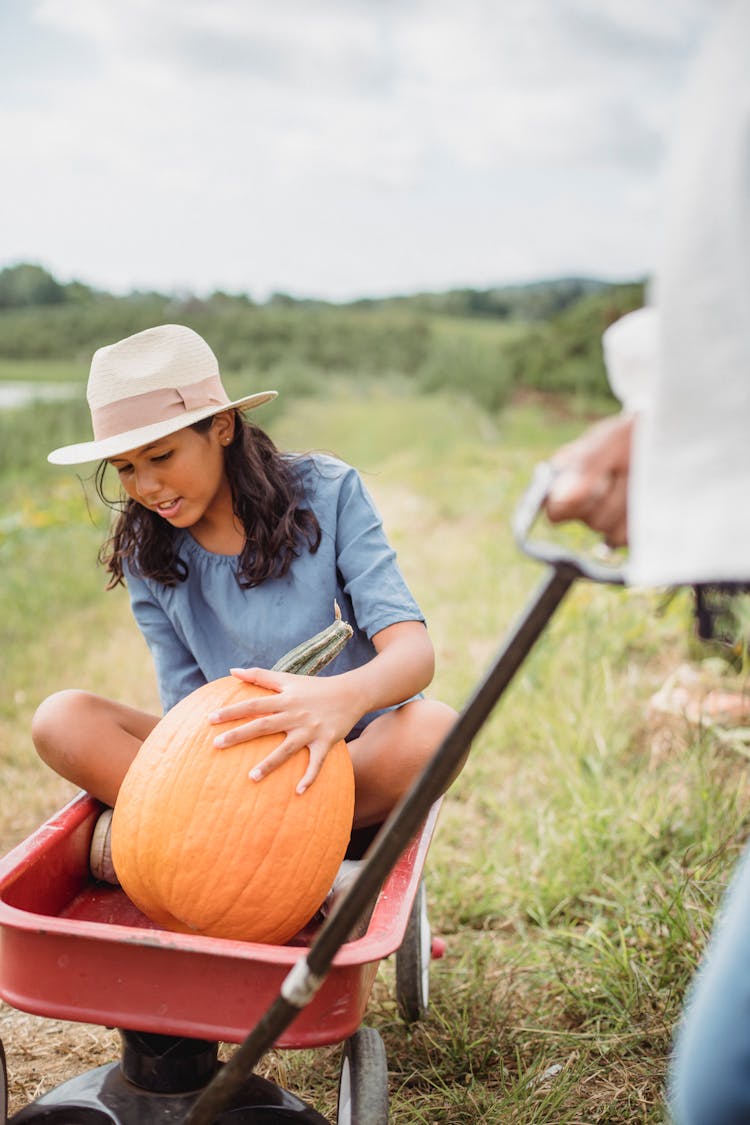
392	753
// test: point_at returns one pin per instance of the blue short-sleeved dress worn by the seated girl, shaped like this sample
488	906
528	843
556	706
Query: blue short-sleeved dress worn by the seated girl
201	628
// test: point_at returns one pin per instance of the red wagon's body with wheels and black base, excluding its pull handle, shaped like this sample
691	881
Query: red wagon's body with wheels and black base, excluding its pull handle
73	949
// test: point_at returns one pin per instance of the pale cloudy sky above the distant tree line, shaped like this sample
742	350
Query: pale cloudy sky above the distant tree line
338	149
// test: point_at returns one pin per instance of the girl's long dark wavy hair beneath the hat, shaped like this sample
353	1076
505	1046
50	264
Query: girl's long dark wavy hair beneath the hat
267	498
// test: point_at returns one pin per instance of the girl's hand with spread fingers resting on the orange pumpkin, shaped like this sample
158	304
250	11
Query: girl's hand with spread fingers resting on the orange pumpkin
310	712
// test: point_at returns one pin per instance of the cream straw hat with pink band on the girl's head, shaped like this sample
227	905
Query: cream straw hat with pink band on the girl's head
148	386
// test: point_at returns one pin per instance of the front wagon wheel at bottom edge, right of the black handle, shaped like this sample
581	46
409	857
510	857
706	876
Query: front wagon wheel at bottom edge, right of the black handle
364	1081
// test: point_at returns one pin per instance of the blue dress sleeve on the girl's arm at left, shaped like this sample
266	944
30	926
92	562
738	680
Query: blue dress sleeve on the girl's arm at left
177	671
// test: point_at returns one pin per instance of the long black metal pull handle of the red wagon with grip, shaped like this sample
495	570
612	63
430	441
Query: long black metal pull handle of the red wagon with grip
310	973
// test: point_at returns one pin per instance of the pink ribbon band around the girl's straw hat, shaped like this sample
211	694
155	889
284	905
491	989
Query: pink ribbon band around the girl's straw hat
160	406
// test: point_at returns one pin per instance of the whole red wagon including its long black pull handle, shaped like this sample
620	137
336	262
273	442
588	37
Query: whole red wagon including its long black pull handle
77	951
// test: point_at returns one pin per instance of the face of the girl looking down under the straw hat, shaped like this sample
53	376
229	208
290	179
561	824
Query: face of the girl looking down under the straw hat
183	478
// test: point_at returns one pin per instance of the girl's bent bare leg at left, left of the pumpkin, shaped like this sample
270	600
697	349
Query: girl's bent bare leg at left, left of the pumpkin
89	740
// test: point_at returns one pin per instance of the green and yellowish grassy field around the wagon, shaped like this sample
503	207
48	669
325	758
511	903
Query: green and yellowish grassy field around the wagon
580	857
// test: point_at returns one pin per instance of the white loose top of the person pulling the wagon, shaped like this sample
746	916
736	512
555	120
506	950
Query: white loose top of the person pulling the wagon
690	487
